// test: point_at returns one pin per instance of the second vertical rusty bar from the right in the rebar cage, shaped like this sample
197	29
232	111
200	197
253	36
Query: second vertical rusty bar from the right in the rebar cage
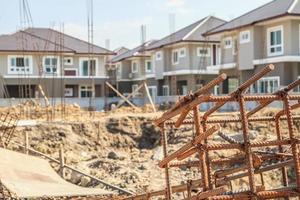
248	151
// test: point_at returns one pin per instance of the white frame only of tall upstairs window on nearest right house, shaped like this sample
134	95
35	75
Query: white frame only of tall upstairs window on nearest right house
269	47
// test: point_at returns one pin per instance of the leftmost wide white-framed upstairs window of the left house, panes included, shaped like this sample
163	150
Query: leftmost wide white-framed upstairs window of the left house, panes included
19	64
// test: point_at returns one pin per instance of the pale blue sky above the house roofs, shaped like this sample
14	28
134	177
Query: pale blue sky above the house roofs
120	20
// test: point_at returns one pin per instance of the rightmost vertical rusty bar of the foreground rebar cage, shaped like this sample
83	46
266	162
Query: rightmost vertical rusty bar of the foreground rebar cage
295	149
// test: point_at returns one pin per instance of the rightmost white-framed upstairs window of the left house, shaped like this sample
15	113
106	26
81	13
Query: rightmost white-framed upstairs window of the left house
88	67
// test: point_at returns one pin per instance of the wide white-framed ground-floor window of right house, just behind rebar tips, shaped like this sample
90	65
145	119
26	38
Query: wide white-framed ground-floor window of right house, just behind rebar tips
268	84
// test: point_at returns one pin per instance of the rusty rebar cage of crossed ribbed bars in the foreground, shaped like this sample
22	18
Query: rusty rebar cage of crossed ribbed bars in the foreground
215	184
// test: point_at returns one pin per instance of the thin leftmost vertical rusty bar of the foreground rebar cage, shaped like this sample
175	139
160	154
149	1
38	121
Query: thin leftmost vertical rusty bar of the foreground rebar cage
165	151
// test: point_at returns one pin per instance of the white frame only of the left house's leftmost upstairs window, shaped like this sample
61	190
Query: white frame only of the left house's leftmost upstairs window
27	69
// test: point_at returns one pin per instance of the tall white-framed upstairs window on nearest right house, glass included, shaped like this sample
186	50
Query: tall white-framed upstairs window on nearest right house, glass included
275	41
